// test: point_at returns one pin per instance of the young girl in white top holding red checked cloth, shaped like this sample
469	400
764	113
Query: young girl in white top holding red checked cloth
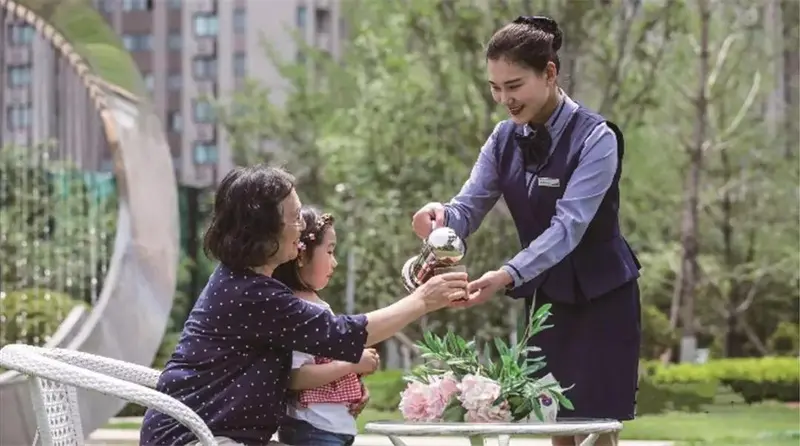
328	394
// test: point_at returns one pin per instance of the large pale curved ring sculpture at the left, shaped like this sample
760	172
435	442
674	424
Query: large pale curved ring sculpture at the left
128	320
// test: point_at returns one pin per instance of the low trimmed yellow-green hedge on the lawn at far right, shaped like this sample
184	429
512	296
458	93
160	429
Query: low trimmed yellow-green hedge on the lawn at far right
755	379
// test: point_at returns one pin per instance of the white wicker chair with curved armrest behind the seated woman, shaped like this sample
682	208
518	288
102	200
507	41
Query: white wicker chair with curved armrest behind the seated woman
53	390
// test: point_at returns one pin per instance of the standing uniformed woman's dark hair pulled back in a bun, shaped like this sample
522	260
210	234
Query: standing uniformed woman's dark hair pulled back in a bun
528	41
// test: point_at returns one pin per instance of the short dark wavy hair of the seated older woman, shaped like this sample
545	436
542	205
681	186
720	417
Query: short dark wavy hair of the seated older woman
247	221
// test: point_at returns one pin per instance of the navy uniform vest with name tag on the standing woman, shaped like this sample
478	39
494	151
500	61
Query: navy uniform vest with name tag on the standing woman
603	260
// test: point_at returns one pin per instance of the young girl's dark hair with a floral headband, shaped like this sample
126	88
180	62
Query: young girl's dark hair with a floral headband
316	224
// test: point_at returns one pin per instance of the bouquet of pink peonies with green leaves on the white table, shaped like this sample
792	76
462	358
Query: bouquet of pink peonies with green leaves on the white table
456	384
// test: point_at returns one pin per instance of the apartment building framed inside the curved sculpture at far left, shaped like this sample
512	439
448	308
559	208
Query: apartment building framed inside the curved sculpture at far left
42	99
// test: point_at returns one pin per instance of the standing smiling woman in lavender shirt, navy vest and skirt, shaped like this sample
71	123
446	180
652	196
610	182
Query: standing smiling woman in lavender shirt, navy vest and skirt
557	165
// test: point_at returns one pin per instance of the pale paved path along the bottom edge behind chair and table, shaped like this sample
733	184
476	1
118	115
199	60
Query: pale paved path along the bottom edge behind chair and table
129	437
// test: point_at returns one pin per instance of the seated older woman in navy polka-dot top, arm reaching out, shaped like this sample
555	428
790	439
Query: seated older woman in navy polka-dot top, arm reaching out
233	360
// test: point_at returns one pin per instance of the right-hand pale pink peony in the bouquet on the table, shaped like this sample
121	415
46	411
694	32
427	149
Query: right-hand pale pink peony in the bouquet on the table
478	394
